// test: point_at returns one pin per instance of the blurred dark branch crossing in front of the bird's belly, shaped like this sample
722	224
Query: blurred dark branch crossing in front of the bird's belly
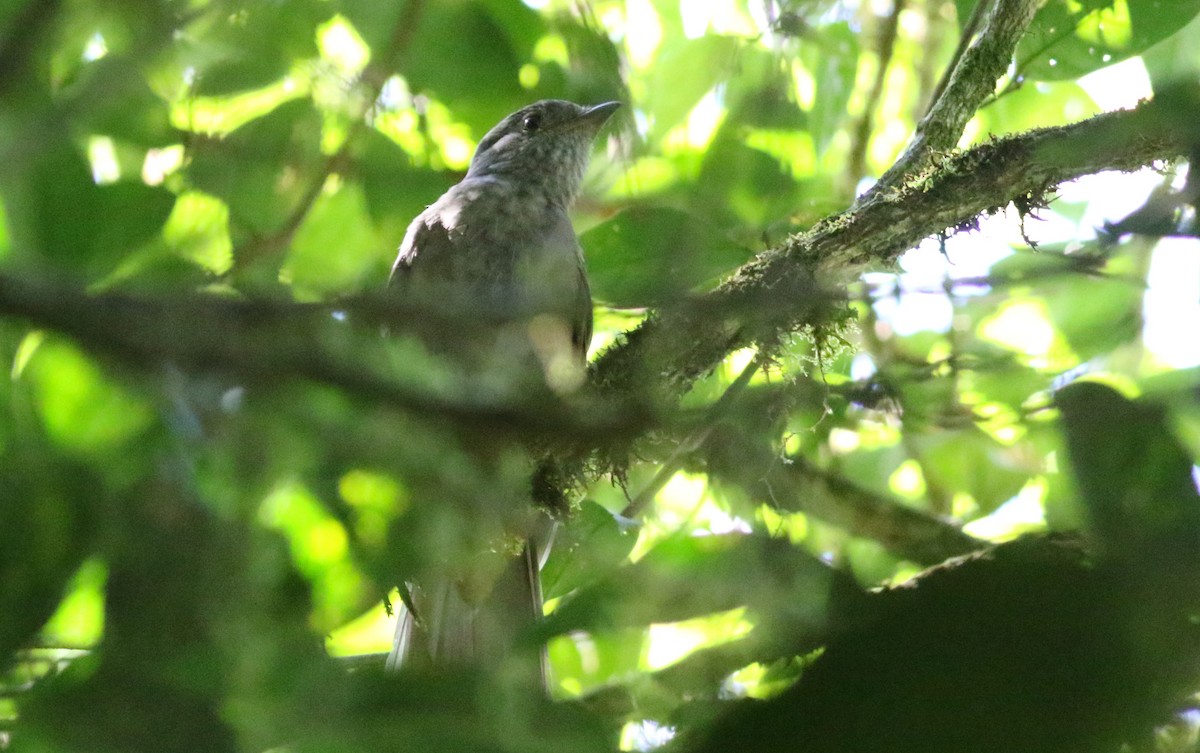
267	341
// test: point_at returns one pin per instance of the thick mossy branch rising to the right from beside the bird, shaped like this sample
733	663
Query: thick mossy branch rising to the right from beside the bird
787	287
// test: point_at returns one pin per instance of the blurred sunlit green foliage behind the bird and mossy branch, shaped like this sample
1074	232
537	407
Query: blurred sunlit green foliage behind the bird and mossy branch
205	505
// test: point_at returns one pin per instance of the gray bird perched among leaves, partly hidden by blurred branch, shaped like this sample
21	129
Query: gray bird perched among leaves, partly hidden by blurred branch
501	242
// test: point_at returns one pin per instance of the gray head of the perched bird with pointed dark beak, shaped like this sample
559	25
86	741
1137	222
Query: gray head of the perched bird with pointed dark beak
545	146
